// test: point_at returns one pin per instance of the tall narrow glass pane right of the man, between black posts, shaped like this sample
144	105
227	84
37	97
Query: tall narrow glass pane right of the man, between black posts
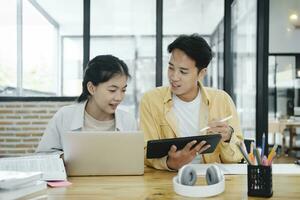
243	27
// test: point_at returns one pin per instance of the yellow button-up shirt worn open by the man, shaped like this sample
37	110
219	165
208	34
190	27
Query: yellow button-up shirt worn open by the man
158	121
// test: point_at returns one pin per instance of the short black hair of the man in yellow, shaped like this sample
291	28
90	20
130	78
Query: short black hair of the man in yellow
195	47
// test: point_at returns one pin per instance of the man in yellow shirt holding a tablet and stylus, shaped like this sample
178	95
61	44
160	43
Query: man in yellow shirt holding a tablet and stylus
186	106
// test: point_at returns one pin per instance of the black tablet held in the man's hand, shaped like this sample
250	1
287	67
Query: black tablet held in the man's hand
160	148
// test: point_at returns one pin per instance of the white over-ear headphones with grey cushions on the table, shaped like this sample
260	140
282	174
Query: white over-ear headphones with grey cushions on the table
187	177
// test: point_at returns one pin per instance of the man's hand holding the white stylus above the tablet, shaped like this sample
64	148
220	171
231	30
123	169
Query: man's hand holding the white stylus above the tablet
220	127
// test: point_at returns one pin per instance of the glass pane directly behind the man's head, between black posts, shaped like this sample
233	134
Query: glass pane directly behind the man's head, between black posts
193	16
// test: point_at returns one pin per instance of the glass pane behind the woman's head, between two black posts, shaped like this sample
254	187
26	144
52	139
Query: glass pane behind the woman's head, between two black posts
126	29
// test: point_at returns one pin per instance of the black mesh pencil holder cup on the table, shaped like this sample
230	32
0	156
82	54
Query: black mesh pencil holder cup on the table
259	181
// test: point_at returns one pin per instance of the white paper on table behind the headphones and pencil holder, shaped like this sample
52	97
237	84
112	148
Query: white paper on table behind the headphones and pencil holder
242	168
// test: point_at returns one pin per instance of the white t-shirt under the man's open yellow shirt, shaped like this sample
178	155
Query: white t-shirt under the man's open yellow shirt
188	116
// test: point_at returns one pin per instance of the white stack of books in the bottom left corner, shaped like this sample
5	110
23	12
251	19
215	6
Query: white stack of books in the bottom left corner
14	184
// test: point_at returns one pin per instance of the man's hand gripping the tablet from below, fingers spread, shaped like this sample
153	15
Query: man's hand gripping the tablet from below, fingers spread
176	159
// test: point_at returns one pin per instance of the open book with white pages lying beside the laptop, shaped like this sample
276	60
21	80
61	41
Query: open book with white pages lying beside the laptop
51	166
